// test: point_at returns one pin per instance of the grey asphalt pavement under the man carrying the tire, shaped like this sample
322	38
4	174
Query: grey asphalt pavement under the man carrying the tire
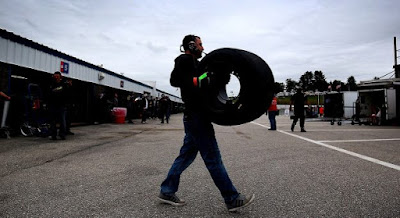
115	170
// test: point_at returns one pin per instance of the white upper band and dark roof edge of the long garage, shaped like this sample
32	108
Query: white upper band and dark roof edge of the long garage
21	51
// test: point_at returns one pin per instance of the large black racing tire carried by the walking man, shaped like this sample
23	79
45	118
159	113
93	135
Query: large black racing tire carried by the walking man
256	86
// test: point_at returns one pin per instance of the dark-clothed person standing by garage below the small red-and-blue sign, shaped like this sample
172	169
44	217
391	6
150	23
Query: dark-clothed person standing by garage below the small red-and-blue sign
57	106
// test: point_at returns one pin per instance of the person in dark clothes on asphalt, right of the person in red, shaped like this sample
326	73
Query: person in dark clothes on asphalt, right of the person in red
298	100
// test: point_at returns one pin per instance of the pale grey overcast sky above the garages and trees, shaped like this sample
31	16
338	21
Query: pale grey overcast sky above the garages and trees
141	39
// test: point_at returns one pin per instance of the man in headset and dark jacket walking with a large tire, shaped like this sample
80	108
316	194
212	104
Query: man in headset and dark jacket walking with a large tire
199	132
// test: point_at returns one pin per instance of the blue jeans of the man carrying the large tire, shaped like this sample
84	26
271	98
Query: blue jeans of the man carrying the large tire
200	136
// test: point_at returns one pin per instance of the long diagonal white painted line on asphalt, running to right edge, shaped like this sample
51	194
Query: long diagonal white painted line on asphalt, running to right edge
370	159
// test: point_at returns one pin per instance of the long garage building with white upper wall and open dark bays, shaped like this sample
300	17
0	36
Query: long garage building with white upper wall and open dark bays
25	65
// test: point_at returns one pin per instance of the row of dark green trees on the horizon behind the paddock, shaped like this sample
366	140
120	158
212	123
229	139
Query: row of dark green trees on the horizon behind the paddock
316	81
